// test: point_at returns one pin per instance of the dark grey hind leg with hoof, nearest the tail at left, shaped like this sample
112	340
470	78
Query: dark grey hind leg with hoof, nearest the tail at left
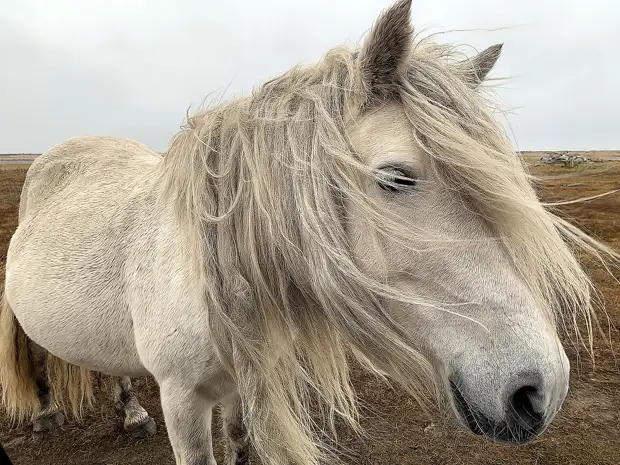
48	417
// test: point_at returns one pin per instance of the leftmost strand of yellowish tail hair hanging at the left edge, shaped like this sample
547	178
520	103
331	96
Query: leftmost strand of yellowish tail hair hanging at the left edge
17	370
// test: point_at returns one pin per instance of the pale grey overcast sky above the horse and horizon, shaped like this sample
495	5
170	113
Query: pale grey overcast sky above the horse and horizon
131	68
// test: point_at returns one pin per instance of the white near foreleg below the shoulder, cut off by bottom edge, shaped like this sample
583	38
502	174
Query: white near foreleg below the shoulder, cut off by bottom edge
188	420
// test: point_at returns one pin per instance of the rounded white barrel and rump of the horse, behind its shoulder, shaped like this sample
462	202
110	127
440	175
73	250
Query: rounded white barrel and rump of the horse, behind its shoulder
64	268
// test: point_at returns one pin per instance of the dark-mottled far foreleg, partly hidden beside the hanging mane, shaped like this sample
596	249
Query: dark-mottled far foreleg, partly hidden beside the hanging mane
237	439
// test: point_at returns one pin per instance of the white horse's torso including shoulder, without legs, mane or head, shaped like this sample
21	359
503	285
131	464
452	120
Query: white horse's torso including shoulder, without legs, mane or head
125	270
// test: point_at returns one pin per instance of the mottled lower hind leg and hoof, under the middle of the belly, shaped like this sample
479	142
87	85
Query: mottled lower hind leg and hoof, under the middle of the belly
138	423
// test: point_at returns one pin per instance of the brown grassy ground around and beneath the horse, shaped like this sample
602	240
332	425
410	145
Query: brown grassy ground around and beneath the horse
586	431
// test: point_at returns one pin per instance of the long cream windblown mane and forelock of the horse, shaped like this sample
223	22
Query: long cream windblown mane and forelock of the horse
266	181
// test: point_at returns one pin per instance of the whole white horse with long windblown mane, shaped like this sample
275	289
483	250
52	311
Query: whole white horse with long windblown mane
367	202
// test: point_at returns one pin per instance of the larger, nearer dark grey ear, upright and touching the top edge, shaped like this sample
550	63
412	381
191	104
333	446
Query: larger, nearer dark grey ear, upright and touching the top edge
386	50
